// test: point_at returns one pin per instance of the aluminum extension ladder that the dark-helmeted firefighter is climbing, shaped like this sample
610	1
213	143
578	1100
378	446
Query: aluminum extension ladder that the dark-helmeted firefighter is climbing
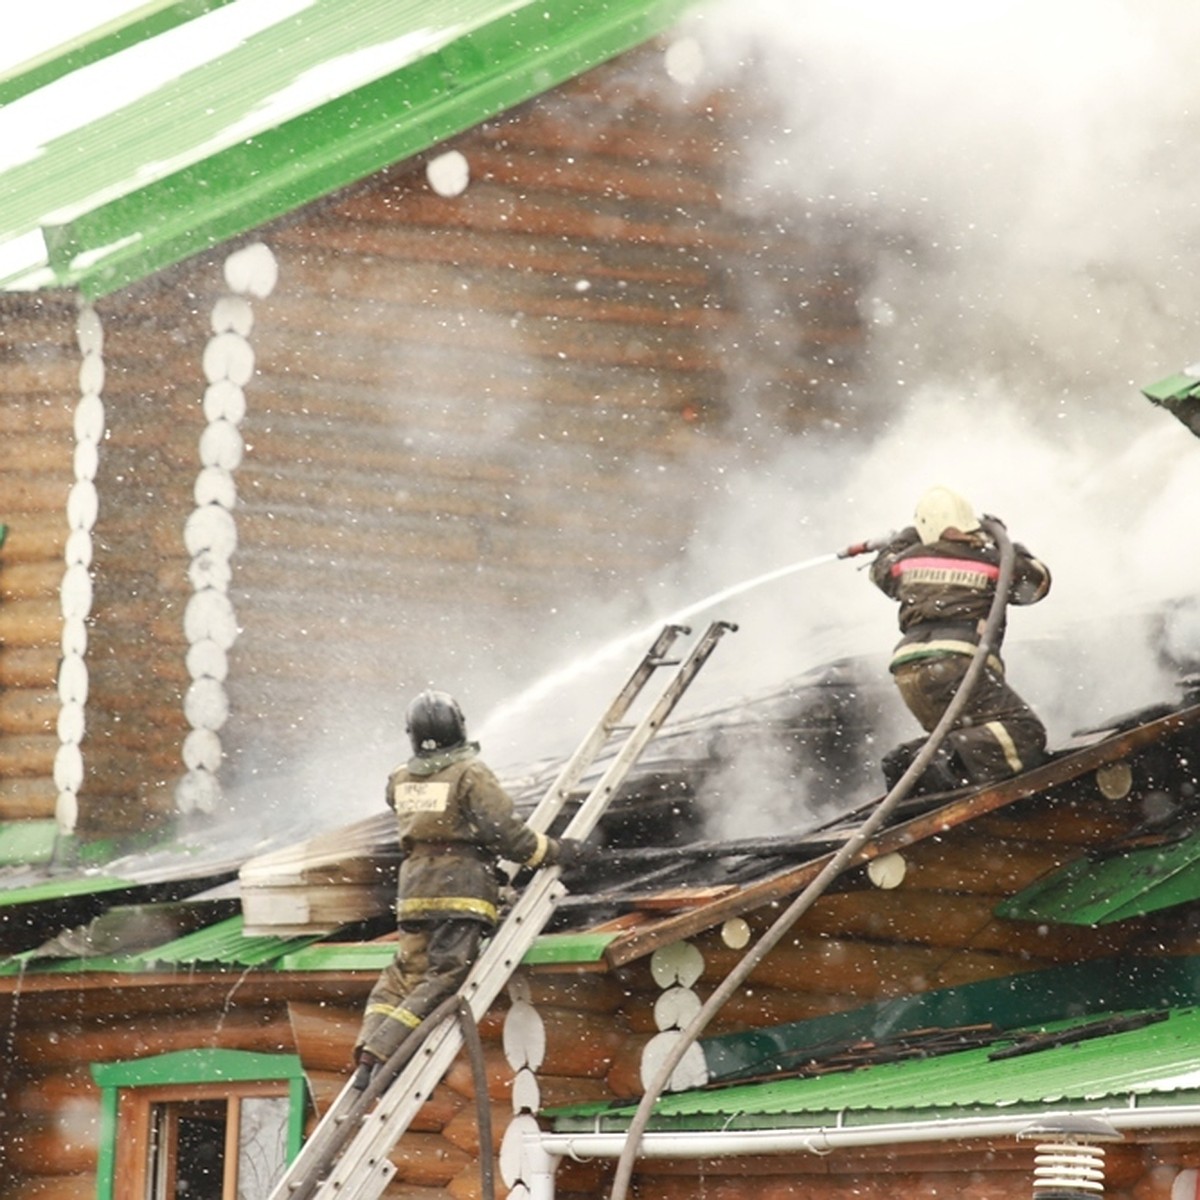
346	1157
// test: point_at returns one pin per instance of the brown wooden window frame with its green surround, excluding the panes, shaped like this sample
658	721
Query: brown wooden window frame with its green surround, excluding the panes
131	1090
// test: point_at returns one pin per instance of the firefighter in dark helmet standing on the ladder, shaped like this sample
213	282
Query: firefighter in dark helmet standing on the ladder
455	824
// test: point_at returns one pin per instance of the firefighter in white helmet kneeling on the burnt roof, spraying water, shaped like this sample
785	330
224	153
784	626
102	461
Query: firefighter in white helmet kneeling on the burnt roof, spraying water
944	572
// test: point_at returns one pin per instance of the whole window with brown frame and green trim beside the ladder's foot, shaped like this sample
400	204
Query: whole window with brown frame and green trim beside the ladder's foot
201	1125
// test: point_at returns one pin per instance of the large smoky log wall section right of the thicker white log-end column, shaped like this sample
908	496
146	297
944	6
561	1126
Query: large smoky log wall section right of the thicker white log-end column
477	417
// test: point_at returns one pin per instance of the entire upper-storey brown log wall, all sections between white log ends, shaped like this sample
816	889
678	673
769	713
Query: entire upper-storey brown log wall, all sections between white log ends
469	415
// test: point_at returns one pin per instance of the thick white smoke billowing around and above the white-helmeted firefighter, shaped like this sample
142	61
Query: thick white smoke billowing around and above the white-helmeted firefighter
1017	177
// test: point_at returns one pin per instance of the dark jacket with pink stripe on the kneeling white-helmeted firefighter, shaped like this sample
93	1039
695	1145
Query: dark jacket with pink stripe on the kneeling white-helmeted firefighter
946	590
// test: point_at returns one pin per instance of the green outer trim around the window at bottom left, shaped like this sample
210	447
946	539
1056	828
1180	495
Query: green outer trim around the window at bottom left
184	1067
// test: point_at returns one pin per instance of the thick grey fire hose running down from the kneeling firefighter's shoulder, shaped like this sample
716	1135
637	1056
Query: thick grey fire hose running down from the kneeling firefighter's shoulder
835	868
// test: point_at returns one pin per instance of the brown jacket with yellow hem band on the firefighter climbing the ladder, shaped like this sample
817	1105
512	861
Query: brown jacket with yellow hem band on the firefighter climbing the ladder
455	821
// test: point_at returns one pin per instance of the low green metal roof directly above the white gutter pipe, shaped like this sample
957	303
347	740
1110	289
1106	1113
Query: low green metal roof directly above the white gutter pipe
1155	1064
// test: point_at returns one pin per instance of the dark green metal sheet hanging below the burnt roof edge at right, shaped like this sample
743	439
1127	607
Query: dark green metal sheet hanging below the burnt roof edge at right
1099	892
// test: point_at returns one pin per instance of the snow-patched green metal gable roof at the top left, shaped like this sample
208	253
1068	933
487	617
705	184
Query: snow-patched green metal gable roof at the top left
191	123
